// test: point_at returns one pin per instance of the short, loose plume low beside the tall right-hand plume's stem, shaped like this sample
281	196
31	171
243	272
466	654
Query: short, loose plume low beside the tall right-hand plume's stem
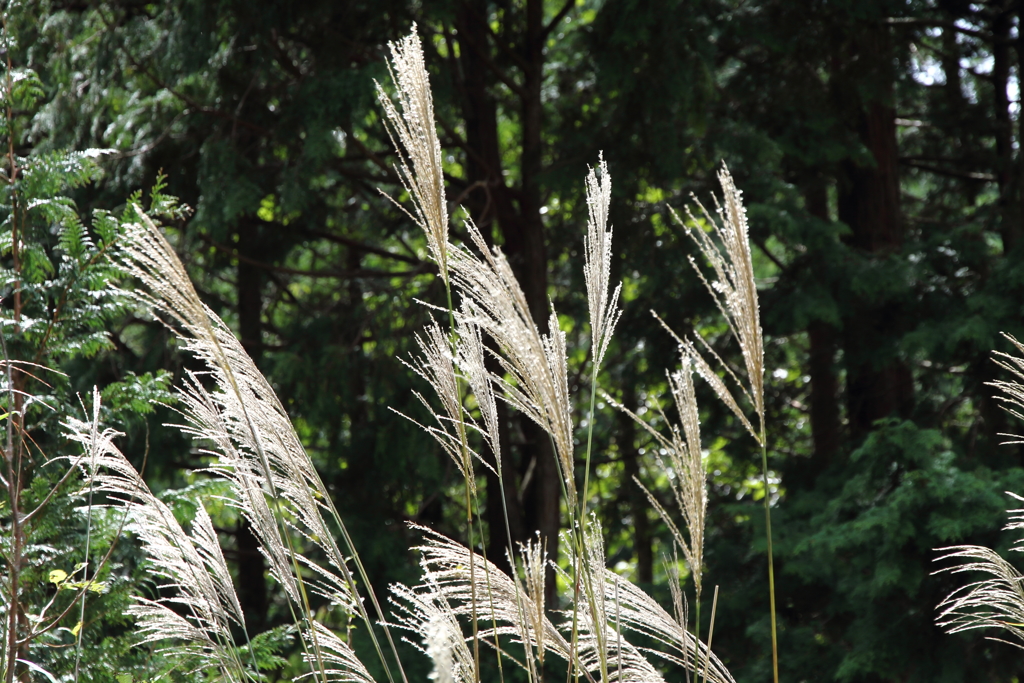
690	487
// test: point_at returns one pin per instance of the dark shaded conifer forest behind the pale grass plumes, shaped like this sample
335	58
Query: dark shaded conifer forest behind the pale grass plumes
878	146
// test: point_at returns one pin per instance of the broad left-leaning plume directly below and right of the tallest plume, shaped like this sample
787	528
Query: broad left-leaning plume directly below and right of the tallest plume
535	364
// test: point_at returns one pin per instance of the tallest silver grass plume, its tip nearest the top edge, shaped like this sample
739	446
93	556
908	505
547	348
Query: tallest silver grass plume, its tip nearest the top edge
412	122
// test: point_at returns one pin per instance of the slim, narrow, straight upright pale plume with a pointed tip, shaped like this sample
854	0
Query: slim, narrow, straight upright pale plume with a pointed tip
598	269
